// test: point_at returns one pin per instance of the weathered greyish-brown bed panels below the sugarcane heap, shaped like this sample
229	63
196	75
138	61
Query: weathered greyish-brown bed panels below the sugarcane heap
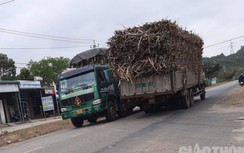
159	84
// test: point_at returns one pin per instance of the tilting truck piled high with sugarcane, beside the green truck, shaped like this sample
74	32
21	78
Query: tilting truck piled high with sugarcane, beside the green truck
157	64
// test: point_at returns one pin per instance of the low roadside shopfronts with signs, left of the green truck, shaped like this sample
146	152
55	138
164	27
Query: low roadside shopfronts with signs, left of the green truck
22	100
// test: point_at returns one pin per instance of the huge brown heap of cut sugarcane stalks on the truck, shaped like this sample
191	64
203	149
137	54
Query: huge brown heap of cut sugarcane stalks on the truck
153	49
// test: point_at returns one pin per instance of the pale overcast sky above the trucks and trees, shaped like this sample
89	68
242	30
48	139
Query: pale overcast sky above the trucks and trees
215	21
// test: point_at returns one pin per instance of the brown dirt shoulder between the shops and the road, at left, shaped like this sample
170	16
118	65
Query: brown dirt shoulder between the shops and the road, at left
24	134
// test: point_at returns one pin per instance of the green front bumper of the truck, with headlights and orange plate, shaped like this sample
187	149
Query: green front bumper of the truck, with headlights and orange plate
83	112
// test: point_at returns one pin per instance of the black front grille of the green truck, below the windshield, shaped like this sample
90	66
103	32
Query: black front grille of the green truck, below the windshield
83	98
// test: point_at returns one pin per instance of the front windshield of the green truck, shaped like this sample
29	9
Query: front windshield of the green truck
84	80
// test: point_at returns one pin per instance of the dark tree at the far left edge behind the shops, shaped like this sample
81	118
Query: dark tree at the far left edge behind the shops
7	68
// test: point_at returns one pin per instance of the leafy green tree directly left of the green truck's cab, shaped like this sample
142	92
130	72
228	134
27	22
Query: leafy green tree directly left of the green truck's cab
48	68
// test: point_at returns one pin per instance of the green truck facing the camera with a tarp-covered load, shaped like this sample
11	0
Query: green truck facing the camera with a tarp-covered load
88	91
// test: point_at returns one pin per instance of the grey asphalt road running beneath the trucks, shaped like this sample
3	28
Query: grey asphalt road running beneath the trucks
164	131
